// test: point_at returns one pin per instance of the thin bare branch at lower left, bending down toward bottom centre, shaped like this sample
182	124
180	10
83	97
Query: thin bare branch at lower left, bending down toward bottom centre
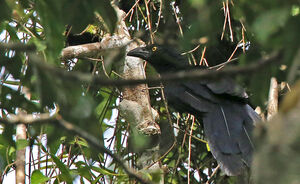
93	141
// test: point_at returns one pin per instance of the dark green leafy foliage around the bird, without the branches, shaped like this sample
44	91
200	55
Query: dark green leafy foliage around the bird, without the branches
271	26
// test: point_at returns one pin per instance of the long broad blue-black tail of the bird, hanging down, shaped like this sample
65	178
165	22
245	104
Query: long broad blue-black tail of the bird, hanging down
228	130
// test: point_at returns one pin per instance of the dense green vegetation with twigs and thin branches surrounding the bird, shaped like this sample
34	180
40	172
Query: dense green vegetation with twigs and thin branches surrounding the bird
68	104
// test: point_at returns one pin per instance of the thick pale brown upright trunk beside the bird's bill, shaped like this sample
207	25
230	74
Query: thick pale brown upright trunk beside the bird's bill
133	69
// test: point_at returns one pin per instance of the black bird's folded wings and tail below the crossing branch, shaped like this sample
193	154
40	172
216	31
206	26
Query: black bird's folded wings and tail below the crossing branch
227	123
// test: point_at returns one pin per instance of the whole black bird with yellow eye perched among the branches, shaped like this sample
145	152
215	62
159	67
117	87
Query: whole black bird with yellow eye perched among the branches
221	105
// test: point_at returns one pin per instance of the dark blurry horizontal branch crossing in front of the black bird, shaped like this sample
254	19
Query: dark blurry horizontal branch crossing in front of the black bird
195	74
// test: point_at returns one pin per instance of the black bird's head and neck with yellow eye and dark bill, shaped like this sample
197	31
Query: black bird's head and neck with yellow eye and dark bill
162	58
